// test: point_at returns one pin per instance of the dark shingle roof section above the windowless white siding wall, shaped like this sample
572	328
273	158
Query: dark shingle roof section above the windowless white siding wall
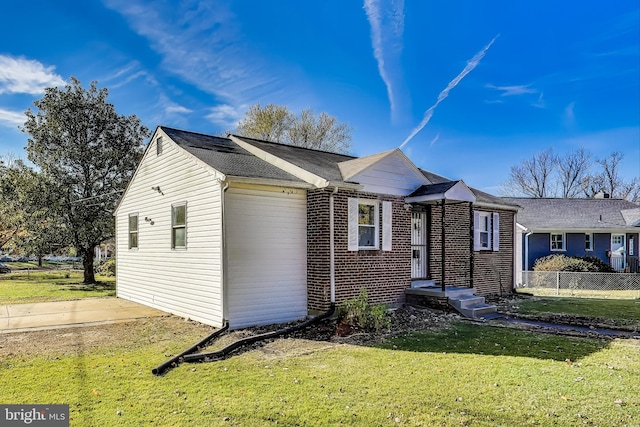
226	156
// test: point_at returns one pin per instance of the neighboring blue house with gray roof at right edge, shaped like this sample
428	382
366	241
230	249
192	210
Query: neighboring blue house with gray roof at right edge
604	228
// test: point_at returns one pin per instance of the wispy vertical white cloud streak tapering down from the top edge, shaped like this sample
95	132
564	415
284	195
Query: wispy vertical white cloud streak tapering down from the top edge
387	28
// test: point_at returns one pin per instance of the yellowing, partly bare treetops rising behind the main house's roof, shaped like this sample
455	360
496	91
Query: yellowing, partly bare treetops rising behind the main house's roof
278	124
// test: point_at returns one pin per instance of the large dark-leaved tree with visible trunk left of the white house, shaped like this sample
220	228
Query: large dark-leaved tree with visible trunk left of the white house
90	152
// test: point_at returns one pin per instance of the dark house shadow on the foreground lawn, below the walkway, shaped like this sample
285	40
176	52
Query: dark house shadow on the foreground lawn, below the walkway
467	338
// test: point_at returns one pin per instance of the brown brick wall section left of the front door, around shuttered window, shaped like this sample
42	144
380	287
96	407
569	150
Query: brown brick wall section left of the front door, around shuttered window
384	274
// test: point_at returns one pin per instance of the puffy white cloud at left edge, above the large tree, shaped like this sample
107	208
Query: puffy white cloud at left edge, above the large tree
19	75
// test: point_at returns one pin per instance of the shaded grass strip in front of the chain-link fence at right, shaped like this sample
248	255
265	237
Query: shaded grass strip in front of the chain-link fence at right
589	307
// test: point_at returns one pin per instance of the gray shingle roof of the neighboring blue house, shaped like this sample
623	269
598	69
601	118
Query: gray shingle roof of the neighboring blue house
576	214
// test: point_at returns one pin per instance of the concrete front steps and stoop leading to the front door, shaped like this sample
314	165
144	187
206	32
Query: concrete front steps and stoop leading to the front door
462	299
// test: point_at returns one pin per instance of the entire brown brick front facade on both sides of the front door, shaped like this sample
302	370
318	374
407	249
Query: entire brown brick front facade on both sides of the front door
385	274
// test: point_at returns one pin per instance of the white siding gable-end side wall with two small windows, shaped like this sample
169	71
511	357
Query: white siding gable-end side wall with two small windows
186	282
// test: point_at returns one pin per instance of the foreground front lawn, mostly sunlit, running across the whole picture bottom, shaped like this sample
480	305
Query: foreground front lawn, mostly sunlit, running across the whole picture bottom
466	375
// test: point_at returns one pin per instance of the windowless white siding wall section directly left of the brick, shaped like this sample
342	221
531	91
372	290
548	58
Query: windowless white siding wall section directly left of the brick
267	252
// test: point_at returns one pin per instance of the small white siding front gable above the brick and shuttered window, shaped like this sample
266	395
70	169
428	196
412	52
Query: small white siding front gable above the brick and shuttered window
391	175
